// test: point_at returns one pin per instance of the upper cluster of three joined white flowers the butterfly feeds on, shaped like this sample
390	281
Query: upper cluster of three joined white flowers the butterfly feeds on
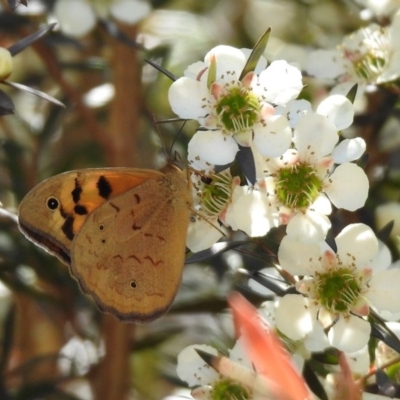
300	166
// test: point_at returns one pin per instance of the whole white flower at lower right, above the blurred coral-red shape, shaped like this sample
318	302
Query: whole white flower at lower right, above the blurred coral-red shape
339	287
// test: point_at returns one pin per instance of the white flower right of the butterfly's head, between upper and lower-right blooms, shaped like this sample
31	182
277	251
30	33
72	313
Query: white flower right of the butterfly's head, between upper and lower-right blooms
301	185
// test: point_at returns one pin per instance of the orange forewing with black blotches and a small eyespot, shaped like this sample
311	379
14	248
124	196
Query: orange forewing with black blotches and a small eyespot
53	212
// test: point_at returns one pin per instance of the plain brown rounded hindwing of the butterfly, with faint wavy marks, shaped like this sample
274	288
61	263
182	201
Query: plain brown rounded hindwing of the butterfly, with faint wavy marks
130	252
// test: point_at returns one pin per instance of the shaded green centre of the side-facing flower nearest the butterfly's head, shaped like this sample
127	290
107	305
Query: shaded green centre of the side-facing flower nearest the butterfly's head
216	192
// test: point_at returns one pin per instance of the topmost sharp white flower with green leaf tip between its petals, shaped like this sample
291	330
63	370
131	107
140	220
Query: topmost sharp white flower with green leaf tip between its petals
232	108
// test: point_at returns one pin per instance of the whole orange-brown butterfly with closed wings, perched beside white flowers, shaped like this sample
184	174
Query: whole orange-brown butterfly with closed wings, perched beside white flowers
121	231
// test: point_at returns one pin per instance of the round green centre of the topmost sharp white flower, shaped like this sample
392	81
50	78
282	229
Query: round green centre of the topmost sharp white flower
238	110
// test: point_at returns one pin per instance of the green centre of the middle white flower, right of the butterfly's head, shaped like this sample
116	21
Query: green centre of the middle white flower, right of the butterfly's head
298	186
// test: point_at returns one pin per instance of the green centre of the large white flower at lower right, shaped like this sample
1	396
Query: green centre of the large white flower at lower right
338	289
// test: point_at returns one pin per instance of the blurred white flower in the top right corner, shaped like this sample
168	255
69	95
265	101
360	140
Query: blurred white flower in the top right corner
370	55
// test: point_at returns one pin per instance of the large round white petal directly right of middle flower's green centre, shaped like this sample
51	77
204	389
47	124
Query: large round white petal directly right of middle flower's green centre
348	187
